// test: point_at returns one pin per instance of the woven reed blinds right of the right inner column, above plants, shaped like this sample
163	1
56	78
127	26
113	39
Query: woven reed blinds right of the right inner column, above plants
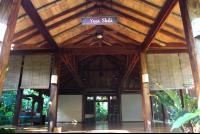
170	70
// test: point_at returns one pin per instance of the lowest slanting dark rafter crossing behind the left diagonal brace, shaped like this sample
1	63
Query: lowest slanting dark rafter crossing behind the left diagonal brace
54	25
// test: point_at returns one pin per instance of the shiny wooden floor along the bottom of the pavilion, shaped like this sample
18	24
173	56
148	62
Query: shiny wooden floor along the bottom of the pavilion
133	127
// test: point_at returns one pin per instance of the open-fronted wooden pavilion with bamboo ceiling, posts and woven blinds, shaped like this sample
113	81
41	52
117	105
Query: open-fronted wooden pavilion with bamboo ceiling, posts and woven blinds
46	48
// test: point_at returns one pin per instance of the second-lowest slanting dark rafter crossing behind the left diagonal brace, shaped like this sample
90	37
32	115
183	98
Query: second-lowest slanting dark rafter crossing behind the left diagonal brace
47	21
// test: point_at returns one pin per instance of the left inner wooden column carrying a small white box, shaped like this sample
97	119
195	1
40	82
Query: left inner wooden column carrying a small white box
54	91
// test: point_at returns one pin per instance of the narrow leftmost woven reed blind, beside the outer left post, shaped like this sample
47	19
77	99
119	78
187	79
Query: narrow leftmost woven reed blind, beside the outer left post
12	75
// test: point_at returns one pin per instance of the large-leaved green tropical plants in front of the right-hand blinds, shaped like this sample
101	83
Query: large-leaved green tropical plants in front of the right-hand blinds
184	117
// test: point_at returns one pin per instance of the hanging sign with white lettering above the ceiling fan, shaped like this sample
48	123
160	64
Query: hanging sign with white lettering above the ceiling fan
99	19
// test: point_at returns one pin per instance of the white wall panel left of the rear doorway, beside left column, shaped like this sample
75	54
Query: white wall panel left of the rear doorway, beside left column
69	108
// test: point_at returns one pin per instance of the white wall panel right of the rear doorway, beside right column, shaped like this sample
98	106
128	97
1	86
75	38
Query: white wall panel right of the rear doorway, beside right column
132	107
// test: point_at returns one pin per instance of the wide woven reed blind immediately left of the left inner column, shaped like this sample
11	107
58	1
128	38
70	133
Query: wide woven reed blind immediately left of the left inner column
36	72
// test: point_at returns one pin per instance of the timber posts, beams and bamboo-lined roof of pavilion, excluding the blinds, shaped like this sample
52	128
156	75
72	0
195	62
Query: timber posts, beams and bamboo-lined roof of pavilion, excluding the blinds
49	28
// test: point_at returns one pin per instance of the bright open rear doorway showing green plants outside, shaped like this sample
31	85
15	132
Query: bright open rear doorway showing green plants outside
101	111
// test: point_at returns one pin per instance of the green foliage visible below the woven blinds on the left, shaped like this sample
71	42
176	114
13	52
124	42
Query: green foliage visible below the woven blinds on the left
7	105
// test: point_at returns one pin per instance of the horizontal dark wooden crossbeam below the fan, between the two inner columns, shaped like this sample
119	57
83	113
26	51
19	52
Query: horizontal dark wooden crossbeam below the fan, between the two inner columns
101	50
